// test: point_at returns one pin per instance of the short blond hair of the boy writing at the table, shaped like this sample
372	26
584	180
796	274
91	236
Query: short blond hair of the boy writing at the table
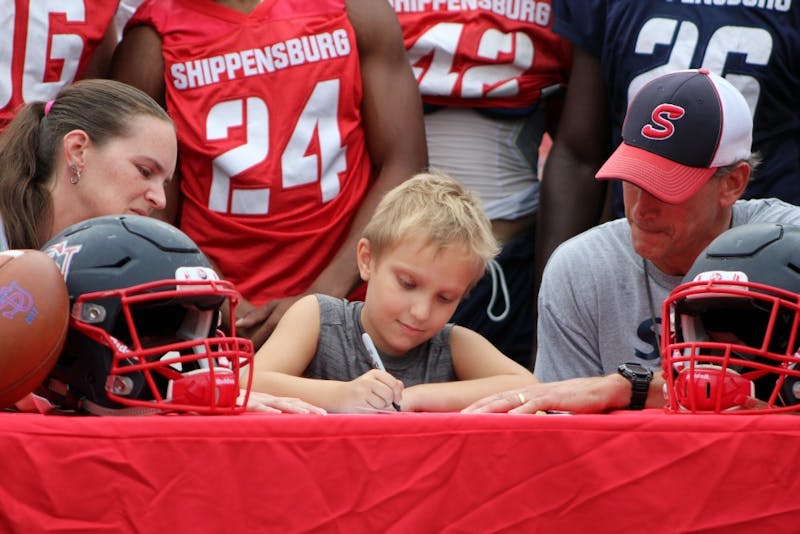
436	206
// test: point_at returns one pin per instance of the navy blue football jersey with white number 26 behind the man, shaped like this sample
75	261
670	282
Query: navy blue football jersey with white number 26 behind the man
754	44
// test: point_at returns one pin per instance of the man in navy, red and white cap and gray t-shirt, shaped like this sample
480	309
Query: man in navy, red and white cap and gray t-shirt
685	161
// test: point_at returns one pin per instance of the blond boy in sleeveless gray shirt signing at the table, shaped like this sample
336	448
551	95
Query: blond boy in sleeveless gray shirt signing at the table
426	245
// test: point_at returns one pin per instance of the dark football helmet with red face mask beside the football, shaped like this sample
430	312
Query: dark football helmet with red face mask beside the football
145	306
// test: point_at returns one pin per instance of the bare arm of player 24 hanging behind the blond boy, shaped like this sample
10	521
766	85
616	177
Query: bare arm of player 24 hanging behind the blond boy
395	136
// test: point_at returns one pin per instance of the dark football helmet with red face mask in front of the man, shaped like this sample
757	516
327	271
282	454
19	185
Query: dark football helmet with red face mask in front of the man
731	343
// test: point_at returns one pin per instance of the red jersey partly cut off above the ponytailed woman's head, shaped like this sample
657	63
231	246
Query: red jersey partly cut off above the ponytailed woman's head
45	46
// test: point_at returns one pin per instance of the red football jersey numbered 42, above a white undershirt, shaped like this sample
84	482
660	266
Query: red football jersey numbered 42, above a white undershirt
483	53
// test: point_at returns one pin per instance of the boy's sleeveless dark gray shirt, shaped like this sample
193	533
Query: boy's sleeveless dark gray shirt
341	354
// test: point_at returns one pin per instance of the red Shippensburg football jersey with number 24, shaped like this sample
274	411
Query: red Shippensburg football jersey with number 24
272	152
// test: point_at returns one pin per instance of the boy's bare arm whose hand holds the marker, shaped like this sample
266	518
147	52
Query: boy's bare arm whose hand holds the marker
279	365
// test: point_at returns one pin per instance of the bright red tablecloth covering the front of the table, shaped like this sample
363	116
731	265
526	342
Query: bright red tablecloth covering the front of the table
400	473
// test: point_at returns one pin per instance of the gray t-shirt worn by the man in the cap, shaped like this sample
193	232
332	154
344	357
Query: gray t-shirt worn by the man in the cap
594	310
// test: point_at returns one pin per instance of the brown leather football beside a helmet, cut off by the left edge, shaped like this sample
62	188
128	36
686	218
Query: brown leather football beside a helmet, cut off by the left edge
34	313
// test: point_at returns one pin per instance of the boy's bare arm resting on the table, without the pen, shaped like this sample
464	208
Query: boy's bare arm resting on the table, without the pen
481	370
